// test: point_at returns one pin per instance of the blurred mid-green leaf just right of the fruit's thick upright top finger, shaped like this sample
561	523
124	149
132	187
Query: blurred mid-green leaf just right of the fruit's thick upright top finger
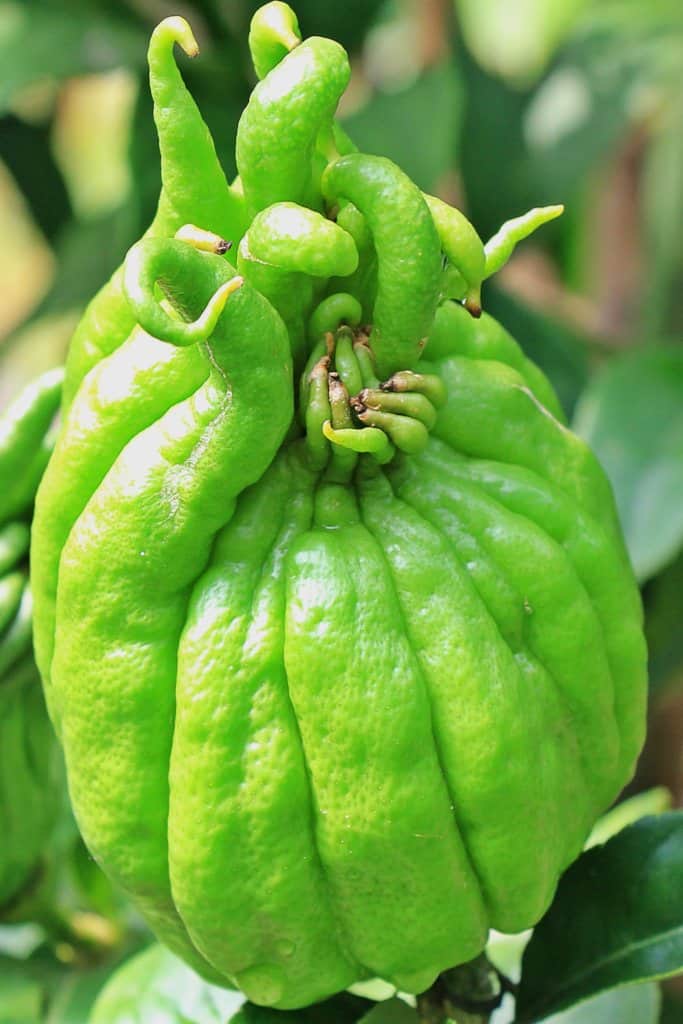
417	127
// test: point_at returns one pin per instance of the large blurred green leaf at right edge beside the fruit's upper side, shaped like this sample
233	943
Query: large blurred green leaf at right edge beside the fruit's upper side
632	416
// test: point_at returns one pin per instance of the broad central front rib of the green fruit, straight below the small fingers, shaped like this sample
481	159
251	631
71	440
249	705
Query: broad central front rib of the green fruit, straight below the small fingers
372	789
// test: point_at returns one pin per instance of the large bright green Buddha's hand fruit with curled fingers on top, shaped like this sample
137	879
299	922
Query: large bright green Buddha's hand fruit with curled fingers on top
346	681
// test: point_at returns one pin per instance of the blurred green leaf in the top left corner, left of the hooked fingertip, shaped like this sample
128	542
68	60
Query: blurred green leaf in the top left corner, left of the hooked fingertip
40	41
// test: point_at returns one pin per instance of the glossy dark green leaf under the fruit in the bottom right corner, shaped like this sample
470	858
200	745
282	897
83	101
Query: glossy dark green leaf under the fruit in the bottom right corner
616	920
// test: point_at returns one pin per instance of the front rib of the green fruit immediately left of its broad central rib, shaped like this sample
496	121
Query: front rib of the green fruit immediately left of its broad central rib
216	606
